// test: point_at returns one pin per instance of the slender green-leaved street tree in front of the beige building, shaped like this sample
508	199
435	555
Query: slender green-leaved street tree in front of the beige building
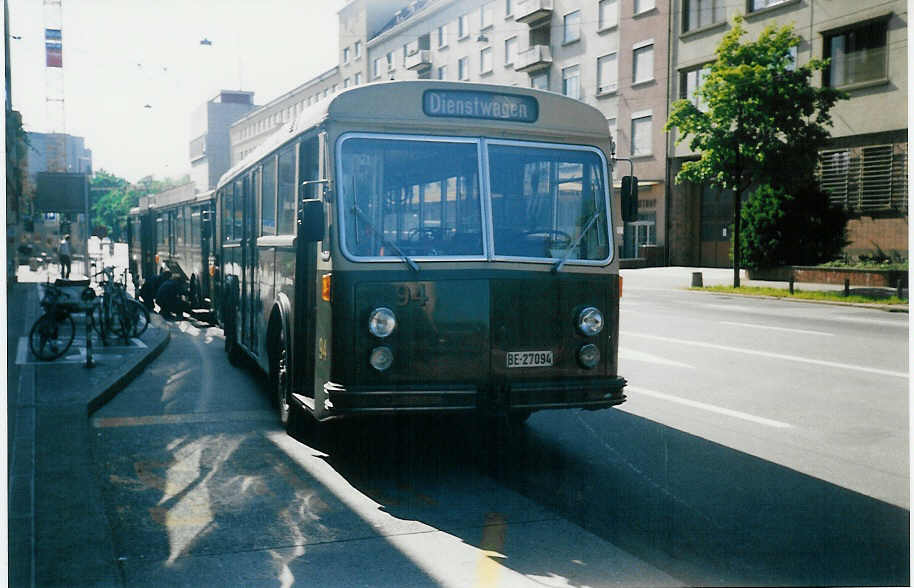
761	119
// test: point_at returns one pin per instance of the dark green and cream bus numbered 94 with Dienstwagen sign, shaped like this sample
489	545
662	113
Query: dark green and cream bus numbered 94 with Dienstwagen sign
426	247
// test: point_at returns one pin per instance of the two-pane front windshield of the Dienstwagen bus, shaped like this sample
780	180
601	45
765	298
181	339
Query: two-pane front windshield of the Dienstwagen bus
409	197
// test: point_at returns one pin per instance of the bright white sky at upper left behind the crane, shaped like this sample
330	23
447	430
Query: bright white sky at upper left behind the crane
120	55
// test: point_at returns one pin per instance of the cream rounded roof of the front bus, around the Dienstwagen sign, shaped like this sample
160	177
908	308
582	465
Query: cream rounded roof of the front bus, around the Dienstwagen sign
403	103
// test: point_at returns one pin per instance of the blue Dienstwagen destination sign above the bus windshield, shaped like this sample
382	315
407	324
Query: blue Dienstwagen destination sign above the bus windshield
487	105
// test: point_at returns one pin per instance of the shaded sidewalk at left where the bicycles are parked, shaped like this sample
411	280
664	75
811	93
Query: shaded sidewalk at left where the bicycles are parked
58	534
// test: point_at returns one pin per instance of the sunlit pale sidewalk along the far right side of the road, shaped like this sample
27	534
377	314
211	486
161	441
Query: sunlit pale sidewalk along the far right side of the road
680	278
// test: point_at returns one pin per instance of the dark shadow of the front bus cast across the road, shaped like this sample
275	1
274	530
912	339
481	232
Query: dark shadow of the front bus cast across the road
702	512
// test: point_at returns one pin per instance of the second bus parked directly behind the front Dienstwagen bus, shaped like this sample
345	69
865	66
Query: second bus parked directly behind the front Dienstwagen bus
173	230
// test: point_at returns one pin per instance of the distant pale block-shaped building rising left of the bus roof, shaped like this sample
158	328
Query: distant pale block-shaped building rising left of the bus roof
211	148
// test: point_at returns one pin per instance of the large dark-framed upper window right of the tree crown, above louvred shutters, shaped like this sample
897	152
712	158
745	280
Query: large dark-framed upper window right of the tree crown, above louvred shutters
857	55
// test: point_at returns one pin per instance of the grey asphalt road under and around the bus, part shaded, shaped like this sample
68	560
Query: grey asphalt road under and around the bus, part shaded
763	443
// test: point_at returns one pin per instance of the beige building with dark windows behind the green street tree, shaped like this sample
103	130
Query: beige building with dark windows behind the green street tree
865	165
